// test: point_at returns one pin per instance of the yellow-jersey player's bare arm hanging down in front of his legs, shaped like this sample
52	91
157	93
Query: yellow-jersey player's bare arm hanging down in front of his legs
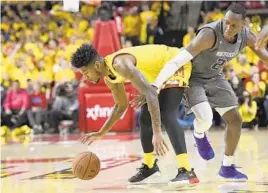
126	68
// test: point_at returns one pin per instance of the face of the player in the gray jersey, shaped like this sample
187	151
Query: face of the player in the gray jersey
233	24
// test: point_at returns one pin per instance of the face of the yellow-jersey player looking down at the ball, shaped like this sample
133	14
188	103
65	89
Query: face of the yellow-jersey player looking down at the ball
92	72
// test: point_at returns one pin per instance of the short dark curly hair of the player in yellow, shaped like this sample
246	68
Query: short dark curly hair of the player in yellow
84	56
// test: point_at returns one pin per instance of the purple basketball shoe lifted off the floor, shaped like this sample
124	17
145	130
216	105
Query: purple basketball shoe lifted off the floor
204	148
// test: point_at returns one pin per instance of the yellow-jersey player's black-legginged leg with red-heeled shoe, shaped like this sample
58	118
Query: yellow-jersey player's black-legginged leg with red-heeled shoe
169	100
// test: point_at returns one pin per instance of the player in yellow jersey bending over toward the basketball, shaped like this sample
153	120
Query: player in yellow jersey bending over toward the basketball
140	65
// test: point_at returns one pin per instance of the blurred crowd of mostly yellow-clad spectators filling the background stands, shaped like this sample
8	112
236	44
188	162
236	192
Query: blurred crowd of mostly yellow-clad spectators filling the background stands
39	87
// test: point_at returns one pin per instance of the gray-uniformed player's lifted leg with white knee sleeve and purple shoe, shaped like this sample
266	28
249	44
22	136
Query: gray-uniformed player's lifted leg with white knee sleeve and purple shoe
198	102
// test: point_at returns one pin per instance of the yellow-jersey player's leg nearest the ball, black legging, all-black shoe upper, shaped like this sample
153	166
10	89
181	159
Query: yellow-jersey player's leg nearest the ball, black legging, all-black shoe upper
149	168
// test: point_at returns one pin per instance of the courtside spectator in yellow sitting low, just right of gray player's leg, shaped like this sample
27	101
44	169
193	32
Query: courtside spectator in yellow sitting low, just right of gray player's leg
248	110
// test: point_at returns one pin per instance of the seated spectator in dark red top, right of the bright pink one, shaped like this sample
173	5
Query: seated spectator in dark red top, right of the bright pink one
38	106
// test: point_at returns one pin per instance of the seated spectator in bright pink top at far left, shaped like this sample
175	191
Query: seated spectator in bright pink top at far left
15	106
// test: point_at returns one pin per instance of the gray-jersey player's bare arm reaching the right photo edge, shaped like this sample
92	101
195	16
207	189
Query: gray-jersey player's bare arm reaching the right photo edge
262	53
